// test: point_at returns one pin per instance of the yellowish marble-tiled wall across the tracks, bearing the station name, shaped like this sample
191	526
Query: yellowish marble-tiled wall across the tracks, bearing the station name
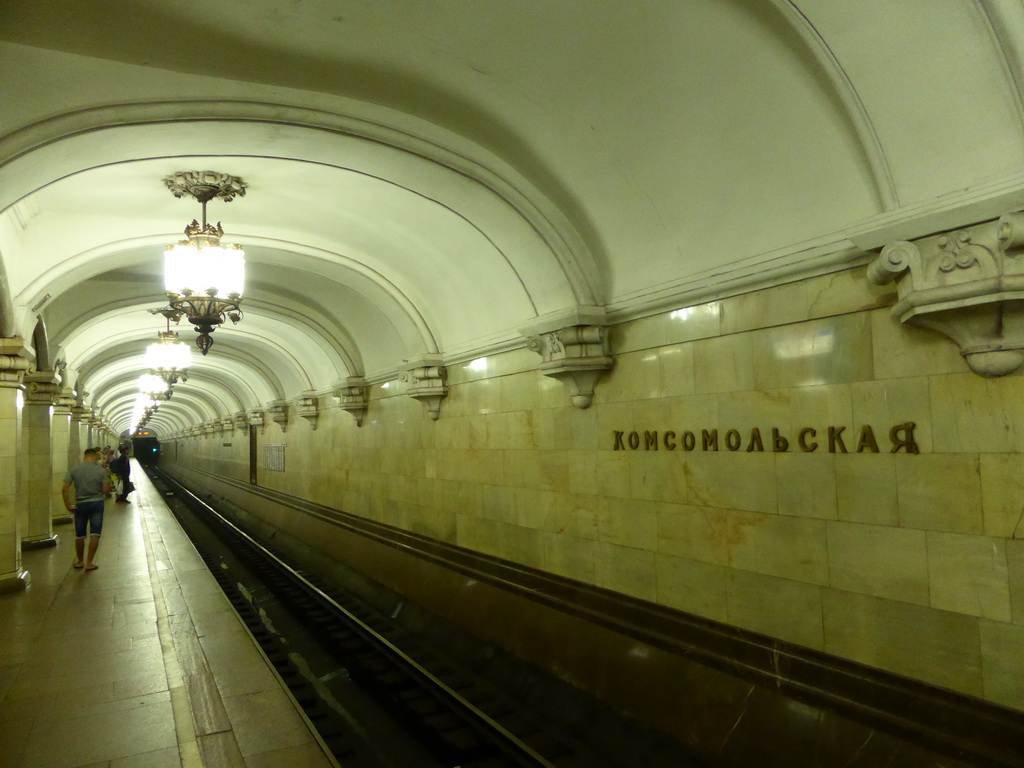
910	563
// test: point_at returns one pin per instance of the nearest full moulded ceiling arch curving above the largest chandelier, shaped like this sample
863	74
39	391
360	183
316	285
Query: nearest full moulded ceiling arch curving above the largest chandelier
64	146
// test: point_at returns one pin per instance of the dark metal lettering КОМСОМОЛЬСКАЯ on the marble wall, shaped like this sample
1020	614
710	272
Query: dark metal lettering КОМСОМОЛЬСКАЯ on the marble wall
901	438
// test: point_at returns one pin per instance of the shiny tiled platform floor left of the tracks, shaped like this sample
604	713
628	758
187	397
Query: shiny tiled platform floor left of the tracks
140	664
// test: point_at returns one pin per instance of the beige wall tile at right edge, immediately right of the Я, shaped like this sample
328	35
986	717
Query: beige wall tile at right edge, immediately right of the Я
972	414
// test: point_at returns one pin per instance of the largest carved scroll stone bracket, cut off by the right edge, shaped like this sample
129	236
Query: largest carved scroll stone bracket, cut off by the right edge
968	285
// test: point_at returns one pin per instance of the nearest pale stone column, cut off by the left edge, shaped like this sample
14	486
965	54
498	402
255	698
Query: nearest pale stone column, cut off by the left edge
13	367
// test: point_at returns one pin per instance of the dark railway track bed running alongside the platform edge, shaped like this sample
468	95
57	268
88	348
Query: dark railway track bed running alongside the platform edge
375	694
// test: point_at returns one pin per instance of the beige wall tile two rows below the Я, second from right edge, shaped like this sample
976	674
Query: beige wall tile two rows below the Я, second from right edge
968	575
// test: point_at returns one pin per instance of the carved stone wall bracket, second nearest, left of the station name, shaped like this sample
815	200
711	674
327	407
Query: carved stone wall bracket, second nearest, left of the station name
577	356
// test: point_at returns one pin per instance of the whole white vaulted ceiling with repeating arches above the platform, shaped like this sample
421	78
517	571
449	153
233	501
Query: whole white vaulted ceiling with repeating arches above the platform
433	179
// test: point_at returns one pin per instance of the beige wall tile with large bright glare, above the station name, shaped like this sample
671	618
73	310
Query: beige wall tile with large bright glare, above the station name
833	351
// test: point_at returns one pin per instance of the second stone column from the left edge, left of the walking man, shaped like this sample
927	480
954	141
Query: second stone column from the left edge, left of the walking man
41	391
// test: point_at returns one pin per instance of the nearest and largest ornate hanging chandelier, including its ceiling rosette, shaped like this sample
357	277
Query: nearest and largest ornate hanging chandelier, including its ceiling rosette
204	279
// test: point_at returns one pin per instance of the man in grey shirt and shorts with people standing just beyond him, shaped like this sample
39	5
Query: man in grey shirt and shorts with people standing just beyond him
97	478
